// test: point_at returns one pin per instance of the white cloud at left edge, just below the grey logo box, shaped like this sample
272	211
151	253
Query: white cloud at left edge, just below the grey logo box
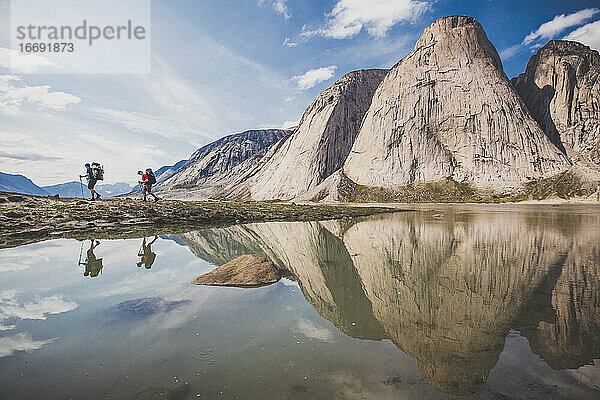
14	94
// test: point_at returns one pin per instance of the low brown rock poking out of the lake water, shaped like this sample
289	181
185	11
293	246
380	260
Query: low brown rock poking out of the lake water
246	270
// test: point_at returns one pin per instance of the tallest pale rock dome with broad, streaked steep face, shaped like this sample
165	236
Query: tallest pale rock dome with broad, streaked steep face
448	109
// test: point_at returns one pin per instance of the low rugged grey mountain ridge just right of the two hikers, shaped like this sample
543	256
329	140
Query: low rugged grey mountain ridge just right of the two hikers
212	167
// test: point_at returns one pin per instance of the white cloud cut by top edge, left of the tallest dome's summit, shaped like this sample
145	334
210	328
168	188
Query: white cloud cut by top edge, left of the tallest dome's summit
349	17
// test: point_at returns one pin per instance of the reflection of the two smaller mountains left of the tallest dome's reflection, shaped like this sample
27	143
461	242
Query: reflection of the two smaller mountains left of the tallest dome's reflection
316	257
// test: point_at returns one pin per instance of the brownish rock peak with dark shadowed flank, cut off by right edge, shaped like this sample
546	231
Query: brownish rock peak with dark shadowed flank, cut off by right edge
561	87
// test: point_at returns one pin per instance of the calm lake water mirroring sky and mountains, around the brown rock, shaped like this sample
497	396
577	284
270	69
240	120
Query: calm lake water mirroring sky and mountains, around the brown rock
480	302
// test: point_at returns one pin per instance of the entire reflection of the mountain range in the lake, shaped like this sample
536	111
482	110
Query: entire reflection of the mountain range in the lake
445	292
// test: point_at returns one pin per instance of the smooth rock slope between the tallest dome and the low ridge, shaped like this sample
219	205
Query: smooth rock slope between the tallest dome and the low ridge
322	141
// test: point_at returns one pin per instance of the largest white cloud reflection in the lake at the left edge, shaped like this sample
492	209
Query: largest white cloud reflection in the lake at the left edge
36	309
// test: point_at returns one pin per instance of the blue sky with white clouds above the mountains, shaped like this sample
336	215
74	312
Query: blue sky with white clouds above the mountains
224	66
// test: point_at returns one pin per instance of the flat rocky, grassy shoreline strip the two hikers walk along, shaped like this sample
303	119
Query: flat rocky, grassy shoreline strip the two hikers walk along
27	219
